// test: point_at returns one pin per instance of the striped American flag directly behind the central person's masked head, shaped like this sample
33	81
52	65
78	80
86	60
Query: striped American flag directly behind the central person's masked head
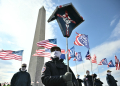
46	53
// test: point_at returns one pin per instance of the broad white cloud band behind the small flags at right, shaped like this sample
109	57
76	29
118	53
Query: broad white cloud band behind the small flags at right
106	49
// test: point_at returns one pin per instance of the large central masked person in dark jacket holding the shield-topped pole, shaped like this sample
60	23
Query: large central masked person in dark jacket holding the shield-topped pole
54	73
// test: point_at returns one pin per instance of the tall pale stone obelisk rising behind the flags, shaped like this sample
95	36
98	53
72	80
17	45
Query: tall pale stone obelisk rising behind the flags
36	63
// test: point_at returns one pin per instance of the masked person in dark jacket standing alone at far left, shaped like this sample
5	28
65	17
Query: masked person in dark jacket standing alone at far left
21	78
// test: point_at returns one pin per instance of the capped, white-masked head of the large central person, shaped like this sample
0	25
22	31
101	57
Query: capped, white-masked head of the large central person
55	52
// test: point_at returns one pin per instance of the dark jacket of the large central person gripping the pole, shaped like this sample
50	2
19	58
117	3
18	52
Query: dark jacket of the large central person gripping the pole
52	73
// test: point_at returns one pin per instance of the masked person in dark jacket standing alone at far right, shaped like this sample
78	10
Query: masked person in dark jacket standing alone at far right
110	79
